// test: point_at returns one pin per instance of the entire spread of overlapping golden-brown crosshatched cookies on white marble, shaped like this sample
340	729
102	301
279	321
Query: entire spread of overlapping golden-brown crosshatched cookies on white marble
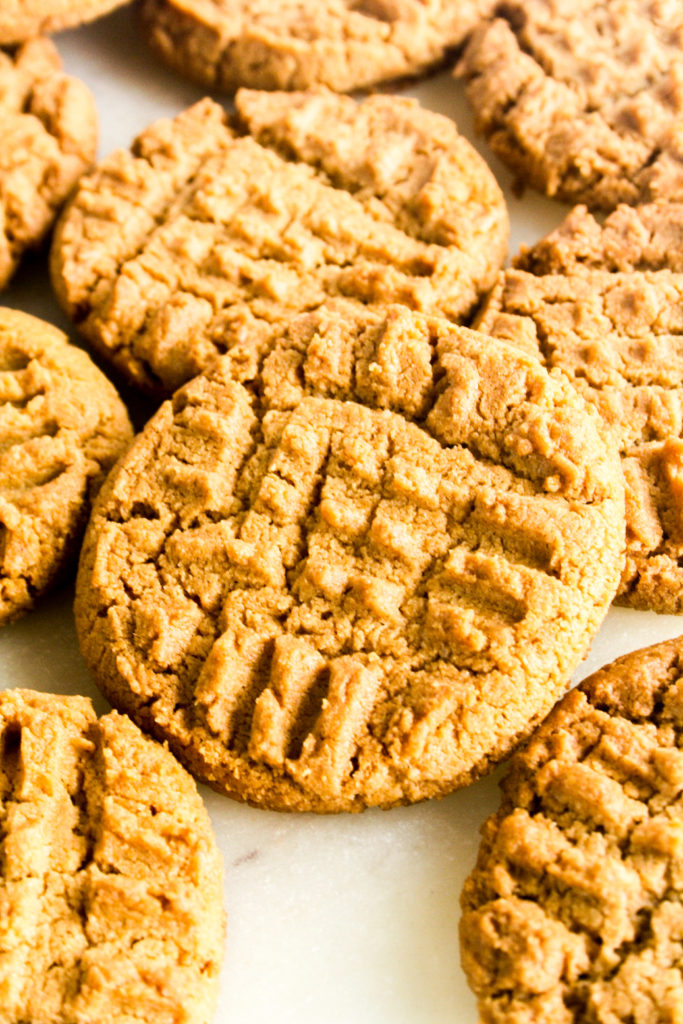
387	498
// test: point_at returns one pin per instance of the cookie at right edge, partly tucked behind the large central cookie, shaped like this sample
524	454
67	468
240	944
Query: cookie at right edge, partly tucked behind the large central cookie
604	305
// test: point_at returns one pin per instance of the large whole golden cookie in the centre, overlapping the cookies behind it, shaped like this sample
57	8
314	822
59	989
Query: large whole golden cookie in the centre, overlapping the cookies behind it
361	577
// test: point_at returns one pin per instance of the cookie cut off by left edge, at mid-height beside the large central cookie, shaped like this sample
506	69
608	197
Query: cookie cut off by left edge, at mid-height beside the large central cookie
62	428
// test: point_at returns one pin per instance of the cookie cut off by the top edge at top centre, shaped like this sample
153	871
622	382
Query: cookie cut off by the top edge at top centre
296	45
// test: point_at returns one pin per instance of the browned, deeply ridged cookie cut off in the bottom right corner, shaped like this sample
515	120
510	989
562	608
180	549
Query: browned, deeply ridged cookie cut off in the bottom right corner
575	910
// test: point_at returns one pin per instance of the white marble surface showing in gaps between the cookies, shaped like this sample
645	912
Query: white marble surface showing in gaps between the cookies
346	920
